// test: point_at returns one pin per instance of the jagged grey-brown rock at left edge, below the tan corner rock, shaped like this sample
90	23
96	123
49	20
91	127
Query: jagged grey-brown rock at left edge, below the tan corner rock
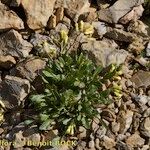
12	43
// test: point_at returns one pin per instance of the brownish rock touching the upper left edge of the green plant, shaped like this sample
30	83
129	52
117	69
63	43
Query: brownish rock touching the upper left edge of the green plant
29	69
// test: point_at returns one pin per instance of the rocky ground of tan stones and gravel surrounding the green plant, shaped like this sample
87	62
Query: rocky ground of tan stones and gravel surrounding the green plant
120	35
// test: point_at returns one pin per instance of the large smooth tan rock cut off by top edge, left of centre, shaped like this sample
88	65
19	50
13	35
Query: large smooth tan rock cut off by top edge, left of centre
38	12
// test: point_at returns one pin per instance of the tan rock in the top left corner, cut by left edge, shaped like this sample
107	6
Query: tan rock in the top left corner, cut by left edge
9	19
